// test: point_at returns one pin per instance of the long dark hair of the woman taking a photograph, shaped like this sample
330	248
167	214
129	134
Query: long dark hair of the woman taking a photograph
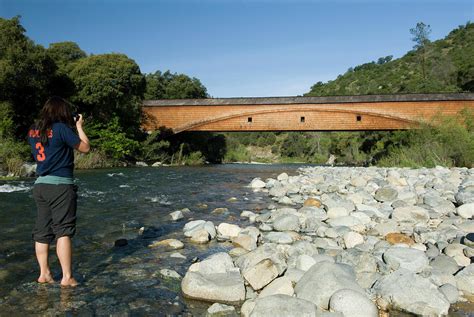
56	109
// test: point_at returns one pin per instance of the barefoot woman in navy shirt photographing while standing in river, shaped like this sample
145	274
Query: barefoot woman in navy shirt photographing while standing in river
53	141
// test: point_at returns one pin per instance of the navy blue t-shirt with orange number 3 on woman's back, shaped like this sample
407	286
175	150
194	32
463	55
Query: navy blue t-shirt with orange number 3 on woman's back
57	157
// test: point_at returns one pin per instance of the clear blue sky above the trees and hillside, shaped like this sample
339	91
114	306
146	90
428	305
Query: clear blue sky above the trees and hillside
241	48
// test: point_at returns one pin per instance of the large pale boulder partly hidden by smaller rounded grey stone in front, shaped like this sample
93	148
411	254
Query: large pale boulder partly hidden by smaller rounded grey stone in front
321	281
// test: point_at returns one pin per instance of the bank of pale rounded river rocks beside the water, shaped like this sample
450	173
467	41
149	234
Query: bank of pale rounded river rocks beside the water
342	241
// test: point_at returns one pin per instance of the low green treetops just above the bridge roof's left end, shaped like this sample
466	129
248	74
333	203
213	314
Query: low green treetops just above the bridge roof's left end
173	86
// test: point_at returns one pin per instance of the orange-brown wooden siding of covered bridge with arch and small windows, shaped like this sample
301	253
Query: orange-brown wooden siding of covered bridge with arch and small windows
341	116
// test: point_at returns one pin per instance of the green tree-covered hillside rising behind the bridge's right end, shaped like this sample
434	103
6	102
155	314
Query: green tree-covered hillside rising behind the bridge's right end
449	67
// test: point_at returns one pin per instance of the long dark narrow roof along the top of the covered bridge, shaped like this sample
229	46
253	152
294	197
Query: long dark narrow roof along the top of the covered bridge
308	100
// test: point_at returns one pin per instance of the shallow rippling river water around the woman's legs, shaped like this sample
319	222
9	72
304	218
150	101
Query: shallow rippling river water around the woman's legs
114	204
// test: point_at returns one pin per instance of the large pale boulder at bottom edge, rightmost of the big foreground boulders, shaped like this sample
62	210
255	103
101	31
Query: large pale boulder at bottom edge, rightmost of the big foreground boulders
407	291
